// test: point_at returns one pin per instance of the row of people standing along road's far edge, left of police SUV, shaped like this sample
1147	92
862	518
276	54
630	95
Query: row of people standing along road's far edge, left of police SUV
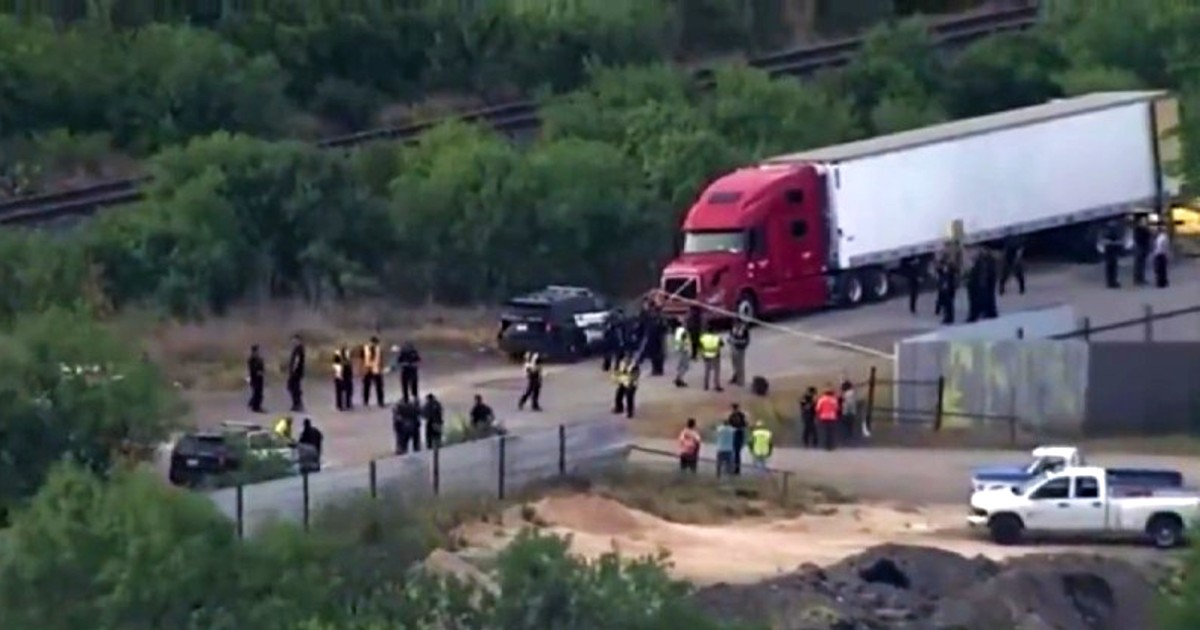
365	361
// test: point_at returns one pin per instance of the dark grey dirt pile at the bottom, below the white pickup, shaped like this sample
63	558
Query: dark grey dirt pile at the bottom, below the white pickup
898	587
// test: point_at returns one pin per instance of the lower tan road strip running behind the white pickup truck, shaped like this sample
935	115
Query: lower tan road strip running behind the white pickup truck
916	477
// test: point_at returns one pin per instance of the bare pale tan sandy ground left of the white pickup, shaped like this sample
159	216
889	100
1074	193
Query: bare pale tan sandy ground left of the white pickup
743	550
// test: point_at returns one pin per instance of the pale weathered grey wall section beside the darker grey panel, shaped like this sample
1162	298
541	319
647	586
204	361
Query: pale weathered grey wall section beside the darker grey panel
1042	383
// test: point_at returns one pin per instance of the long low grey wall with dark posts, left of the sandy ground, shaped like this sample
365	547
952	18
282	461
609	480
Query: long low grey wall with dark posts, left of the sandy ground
464	470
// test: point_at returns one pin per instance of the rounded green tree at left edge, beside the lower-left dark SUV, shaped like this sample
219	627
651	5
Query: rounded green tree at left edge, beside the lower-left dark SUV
71	392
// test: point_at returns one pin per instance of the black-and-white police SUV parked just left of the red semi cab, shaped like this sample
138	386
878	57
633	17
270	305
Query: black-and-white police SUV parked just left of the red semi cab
563	323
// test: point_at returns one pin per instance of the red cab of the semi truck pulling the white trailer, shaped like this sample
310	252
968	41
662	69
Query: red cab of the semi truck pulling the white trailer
755	242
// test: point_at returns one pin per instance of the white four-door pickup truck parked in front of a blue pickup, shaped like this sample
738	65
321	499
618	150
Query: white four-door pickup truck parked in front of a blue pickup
1085	502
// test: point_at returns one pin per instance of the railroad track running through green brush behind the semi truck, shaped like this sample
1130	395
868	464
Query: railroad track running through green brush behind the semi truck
523	117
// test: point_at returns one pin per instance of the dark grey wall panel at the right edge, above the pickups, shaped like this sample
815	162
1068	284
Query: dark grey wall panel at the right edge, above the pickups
1144	389
